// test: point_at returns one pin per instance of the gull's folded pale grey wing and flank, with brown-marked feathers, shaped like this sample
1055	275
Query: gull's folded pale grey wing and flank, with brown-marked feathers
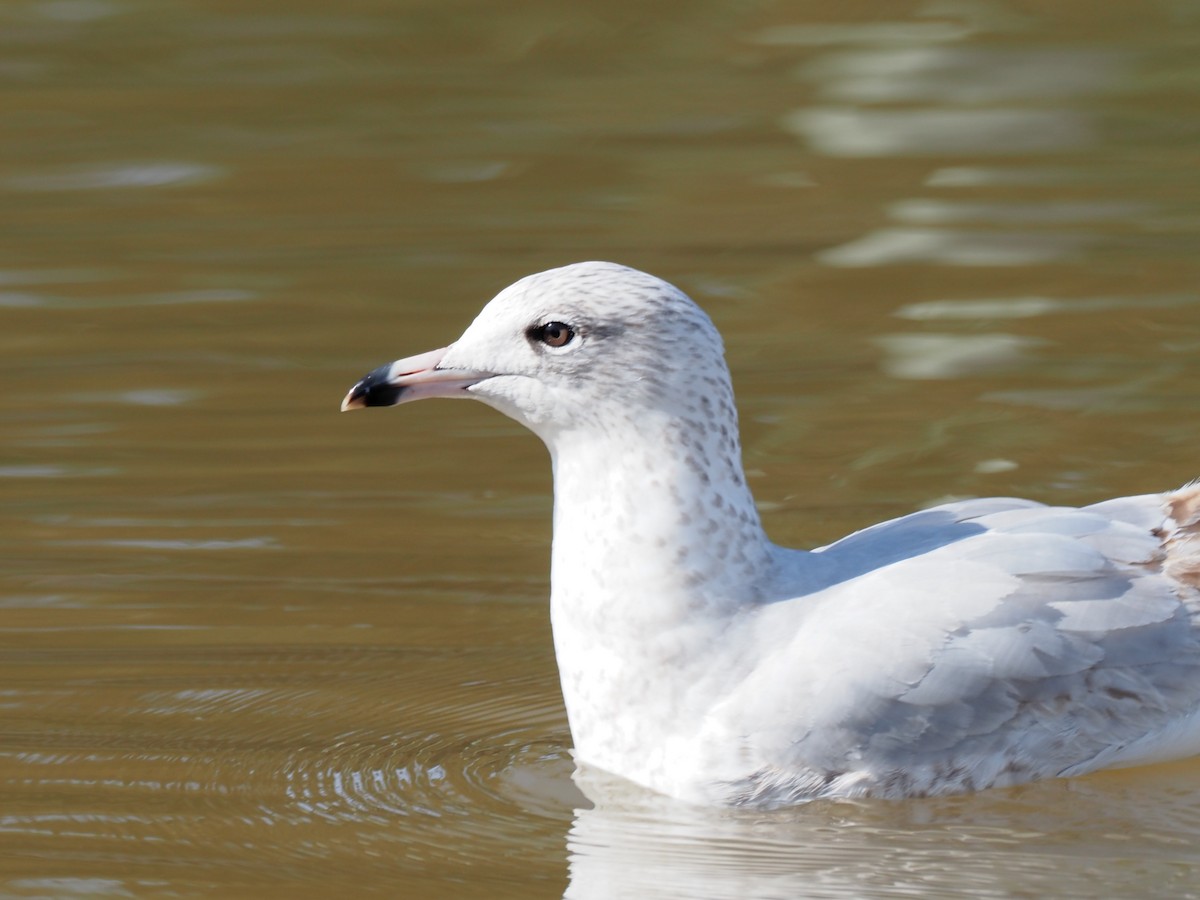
1030	643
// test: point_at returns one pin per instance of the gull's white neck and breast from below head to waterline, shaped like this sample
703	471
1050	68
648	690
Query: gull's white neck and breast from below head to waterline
658	547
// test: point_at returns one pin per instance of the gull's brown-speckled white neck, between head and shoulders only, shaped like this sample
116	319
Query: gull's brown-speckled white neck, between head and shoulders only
658	518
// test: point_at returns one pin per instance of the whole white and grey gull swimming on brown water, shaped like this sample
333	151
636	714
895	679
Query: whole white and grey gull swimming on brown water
974	645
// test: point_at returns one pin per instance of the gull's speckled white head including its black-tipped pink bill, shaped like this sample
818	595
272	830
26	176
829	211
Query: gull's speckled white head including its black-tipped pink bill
571	350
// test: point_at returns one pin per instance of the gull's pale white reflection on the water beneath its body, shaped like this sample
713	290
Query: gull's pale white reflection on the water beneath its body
1061	838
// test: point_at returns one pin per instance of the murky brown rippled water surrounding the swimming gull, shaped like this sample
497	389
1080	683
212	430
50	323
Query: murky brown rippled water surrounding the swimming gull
251	646
